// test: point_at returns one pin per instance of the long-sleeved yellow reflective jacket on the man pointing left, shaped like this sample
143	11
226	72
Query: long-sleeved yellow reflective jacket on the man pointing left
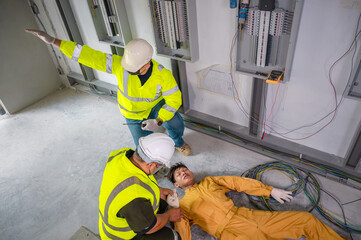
135	101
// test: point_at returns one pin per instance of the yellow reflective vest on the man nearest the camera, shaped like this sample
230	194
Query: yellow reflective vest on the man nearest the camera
123	182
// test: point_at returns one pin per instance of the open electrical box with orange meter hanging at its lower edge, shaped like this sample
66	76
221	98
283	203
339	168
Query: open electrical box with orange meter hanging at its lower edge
268	37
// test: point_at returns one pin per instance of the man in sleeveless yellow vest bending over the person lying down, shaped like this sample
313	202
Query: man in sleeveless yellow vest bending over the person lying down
131	204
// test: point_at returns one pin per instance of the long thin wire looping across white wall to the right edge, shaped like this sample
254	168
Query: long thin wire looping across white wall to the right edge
334	90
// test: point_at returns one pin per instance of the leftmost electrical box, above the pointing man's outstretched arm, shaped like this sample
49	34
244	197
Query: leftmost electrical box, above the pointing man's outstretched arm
110	21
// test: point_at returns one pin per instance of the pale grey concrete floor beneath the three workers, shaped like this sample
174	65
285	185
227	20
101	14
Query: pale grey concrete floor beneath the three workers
53	154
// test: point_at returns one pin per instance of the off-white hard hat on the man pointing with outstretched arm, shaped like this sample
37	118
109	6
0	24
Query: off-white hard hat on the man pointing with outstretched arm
137	53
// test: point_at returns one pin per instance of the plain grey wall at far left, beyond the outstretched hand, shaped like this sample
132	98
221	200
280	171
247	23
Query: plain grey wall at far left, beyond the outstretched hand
27	69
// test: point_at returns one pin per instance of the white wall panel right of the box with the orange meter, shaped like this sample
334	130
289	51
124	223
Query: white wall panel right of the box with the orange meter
326	32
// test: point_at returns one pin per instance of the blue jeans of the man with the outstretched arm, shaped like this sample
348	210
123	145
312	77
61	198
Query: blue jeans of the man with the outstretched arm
174	126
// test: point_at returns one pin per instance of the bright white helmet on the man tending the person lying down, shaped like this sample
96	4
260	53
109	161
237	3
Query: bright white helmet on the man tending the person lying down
156	147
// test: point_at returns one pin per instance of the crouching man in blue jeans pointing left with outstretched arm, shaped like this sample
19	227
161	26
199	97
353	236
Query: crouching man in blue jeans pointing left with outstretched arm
148	95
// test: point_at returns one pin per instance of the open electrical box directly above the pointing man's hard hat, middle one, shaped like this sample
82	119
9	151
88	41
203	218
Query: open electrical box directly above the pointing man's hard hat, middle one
175	28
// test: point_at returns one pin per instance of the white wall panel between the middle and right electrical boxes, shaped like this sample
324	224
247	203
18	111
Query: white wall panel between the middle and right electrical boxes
216	28
